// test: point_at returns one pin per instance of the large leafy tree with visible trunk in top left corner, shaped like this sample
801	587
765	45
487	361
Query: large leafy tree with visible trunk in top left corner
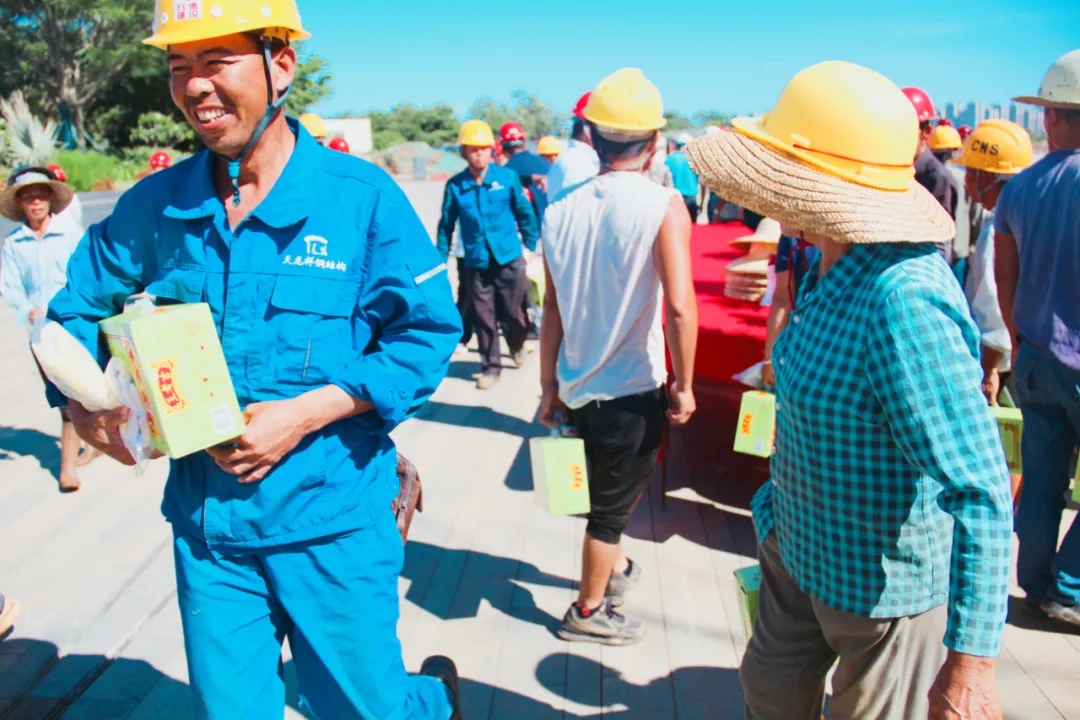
74	49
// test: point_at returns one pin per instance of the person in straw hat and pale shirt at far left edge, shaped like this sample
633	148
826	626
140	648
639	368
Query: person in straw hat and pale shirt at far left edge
34	268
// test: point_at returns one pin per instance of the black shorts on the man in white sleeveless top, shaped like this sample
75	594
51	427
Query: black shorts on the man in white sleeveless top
623	443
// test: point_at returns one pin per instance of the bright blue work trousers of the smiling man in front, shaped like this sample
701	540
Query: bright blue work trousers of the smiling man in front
335	600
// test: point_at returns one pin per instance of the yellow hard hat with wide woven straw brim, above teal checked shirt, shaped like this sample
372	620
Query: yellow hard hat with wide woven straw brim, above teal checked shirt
833	158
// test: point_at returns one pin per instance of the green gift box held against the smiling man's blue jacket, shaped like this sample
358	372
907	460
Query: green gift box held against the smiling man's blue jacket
174	356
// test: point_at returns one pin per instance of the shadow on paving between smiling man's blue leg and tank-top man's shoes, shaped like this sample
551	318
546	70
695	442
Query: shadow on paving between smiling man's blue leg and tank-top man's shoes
472	578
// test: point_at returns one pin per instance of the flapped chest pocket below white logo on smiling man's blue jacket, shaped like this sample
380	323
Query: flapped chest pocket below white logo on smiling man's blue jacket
307	337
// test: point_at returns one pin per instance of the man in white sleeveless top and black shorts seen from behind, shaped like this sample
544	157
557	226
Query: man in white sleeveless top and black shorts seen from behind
618	254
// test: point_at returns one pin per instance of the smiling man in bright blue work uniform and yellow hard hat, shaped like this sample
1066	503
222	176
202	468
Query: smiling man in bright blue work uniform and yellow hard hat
336	321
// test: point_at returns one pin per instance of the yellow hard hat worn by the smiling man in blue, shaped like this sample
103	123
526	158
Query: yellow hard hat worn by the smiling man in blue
178	22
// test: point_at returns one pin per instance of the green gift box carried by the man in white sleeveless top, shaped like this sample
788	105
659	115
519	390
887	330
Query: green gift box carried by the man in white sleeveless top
560	476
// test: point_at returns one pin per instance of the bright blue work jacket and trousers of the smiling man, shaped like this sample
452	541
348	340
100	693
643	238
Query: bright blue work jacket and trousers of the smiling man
332	280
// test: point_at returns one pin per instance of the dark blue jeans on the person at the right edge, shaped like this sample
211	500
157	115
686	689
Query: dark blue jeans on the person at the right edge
1049	397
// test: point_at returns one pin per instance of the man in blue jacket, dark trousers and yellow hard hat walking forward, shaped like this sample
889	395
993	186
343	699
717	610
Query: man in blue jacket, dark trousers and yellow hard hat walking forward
496	220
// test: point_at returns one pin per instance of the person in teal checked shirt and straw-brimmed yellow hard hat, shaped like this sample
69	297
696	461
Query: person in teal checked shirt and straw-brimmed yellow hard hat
887	523
